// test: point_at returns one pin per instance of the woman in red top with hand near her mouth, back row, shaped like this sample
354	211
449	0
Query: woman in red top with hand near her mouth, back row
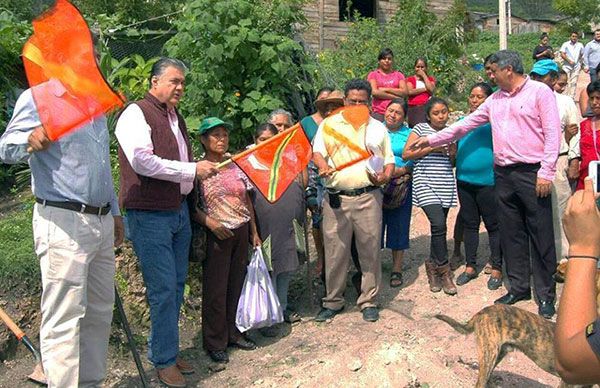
420	89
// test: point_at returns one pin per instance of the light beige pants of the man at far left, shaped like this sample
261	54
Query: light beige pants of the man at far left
78	267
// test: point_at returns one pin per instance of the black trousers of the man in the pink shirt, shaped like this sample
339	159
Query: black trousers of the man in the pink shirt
524	217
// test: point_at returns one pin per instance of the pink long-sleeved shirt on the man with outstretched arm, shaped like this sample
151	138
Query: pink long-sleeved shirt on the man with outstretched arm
525	127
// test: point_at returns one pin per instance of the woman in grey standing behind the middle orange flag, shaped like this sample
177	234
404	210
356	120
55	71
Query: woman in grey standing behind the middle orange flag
276	220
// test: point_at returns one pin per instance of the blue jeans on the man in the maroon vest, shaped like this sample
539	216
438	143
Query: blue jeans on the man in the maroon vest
161	240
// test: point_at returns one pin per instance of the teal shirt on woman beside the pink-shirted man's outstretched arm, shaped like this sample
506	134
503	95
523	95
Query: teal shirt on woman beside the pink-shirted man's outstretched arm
475	157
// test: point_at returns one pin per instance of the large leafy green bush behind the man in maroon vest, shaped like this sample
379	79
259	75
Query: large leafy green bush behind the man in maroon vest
243	60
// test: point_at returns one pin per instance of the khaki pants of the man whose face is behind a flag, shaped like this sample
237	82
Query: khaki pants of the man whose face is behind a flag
361	215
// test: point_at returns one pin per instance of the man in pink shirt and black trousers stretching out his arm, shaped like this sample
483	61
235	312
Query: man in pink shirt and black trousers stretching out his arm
526	136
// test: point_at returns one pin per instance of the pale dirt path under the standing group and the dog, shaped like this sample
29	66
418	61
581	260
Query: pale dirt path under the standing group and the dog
405	348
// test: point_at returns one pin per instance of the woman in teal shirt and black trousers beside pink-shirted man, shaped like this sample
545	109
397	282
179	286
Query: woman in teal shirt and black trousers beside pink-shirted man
476	193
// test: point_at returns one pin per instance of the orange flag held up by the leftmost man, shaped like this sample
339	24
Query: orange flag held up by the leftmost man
68	88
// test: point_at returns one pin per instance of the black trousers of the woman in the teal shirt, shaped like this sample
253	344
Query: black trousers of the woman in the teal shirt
478	202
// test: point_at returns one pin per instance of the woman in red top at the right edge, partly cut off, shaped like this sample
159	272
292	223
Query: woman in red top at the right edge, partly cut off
589	142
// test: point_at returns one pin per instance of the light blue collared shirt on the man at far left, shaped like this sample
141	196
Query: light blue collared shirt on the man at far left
75	168
